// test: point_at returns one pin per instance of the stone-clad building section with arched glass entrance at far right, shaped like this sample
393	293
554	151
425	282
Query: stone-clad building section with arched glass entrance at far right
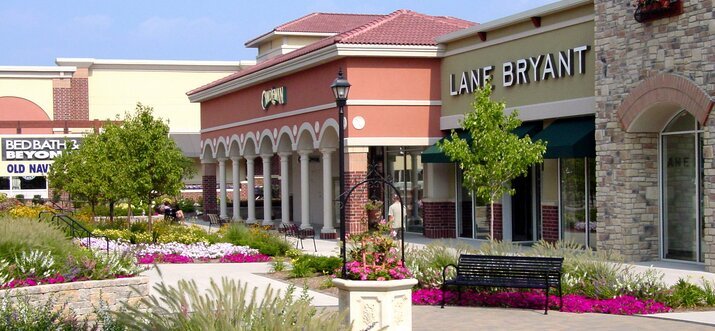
655	85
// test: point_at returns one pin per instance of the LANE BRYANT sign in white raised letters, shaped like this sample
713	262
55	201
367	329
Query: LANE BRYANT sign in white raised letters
523	71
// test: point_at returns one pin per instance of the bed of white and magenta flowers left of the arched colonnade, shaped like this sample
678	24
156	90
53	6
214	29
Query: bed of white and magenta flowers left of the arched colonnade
183	253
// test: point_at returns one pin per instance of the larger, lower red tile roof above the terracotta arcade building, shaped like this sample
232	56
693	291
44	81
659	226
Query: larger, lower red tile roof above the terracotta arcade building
402	27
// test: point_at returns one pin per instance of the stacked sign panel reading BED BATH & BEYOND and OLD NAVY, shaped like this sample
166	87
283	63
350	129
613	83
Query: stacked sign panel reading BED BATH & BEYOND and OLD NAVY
32	156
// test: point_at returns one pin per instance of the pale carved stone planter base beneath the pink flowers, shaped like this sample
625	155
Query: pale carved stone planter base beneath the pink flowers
376	305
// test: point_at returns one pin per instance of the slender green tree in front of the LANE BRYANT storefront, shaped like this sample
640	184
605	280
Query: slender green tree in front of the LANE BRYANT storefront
495	155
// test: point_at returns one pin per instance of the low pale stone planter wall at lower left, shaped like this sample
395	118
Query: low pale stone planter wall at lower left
84	297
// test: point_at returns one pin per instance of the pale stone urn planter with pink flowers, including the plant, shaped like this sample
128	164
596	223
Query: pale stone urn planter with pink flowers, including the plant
377	288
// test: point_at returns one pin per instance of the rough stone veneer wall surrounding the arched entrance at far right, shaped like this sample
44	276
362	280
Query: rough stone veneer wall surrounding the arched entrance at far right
627	53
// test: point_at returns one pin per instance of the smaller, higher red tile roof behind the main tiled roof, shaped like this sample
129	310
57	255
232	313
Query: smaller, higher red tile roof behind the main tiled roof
323	23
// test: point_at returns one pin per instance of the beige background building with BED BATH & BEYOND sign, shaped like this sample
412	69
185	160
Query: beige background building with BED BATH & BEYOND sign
41	106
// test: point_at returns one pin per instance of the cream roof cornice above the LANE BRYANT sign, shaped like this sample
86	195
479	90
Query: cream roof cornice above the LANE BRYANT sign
513	19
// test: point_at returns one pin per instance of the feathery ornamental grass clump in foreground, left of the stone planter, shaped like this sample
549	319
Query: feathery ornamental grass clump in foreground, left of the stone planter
225	306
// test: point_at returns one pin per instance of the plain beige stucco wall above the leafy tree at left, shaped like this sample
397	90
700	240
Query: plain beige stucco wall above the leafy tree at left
113	92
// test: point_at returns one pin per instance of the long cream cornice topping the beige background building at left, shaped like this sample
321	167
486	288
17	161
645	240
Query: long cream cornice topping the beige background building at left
155	64
